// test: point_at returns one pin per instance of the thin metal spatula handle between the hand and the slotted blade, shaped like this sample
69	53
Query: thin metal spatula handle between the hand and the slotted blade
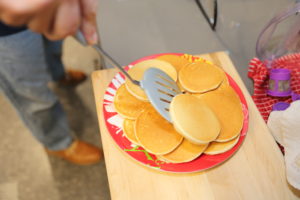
81	39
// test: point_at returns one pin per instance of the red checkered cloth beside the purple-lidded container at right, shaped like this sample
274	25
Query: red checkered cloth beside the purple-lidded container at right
259	72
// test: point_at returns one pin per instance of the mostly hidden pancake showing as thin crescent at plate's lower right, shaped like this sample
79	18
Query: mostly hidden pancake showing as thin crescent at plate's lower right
220	147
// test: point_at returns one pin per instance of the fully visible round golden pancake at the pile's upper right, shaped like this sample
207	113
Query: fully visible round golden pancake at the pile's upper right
200	77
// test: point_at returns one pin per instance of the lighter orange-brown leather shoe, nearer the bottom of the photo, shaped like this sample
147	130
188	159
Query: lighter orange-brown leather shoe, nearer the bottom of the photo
79	153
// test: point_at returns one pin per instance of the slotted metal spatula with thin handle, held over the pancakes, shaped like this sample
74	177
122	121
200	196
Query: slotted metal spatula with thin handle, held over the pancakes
159	87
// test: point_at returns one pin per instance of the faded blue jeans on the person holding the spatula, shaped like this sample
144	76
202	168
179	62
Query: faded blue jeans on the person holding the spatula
27	63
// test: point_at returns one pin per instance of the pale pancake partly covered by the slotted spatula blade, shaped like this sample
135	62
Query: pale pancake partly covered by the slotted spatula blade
137	73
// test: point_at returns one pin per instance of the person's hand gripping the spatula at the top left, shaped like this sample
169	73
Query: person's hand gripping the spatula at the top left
56	19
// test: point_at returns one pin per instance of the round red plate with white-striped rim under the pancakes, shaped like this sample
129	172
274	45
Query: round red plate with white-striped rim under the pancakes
114	125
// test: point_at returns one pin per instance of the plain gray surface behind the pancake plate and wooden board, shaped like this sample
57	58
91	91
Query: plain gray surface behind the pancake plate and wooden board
131	29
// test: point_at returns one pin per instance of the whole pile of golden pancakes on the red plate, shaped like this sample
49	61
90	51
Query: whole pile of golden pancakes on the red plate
207	117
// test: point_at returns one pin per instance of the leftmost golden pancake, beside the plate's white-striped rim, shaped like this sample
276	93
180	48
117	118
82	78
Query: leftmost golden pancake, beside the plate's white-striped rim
127	105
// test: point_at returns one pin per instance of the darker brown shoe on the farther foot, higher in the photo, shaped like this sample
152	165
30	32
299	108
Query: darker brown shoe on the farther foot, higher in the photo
72	78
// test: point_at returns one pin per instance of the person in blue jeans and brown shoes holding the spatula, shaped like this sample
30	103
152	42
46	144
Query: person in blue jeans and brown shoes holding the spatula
29	60
